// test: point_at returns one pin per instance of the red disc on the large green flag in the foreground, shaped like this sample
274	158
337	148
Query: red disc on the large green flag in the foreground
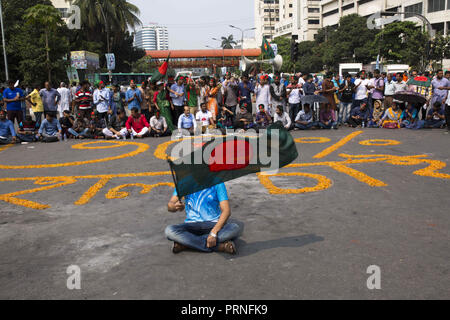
230	155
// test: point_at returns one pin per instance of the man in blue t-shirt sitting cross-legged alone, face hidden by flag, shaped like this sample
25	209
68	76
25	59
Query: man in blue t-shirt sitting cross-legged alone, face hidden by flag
206	228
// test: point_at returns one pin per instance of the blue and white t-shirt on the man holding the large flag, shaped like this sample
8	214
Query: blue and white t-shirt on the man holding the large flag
205	205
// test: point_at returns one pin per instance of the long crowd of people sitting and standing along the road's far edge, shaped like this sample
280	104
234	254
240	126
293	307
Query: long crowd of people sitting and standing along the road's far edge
83	110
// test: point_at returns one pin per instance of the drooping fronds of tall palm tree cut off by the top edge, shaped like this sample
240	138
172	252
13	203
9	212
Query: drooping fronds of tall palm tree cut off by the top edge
120	14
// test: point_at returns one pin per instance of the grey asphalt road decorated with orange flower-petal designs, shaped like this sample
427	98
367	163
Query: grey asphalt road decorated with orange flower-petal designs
311	245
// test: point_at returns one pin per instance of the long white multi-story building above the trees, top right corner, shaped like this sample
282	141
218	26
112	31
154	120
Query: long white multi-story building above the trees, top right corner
436	11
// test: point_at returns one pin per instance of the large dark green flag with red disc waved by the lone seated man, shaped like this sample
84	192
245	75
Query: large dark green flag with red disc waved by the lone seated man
227	158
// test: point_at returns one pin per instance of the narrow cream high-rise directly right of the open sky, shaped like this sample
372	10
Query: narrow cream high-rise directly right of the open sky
267	14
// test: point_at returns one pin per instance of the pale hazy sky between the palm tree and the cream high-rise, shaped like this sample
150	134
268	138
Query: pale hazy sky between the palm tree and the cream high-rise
193	23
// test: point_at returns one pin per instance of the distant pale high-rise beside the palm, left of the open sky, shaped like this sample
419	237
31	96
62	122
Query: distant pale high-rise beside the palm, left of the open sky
152	37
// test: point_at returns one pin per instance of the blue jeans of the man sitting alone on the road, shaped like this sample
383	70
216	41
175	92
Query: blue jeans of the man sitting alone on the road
194	235
